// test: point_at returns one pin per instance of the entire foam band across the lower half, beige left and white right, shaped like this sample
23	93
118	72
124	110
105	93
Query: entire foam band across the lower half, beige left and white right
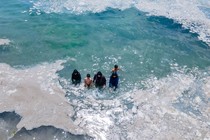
152	113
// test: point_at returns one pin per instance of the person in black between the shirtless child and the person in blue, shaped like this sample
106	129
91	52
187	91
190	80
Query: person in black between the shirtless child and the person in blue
99	80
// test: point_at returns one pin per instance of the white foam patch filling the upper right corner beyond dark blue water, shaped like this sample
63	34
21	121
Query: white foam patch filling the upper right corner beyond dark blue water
187	13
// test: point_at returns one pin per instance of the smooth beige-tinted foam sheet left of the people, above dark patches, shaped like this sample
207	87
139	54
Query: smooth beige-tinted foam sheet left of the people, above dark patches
36	95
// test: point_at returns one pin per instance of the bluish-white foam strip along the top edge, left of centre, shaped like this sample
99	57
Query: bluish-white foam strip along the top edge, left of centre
80	6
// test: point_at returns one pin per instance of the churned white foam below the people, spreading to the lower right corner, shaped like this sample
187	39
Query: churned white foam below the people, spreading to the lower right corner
153	114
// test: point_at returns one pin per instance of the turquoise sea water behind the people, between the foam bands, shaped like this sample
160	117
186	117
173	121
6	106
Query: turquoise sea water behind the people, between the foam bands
143	45
